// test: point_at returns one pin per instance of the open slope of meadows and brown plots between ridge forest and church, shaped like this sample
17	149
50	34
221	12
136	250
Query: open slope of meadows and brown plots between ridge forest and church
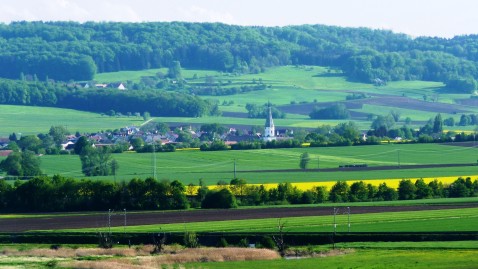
296	90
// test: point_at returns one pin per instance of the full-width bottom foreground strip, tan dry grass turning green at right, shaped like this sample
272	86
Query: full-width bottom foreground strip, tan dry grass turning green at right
396	255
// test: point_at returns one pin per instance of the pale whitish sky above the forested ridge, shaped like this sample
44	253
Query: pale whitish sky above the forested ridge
442	18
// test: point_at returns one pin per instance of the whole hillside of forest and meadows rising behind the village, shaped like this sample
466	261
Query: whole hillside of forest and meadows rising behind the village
194	72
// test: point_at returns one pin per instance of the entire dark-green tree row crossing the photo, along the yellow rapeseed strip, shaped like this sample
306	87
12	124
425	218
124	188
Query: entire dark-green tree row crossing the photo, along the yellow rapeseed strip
44	194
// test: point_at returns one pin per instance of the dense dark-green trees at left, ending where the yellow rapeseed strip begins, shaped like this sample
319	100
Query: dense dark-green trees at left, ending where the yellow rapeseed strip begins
66	194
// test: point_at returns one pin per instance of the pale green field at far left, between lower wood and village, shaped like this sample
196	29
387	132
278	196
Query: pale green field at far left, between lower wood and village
29	120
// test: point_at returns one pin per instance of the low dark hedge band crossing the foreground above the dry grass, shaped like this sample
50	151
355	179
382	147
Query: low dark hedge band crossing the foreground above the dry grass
213	239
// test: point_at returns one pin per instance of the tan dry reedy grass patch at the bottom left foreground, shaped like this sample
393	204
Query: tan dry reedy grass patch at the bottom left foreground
79	256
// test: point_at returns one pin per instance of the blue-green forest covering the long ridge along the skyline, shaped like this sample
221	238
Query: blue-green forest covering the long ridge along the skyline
43	48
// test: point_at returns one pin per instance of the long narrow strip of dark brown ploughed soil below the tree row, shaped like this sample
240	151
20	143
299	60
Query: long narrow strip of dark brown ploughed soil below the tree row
161	217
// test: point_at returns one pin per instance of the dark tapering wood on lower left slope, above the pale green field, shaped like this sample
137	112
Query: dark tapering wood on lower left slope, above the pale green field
156	102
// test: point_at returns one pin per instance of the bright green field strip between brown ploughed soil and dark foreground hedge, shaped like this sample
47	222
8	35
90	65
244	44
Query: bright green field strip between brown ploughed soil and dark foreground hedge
406	221
